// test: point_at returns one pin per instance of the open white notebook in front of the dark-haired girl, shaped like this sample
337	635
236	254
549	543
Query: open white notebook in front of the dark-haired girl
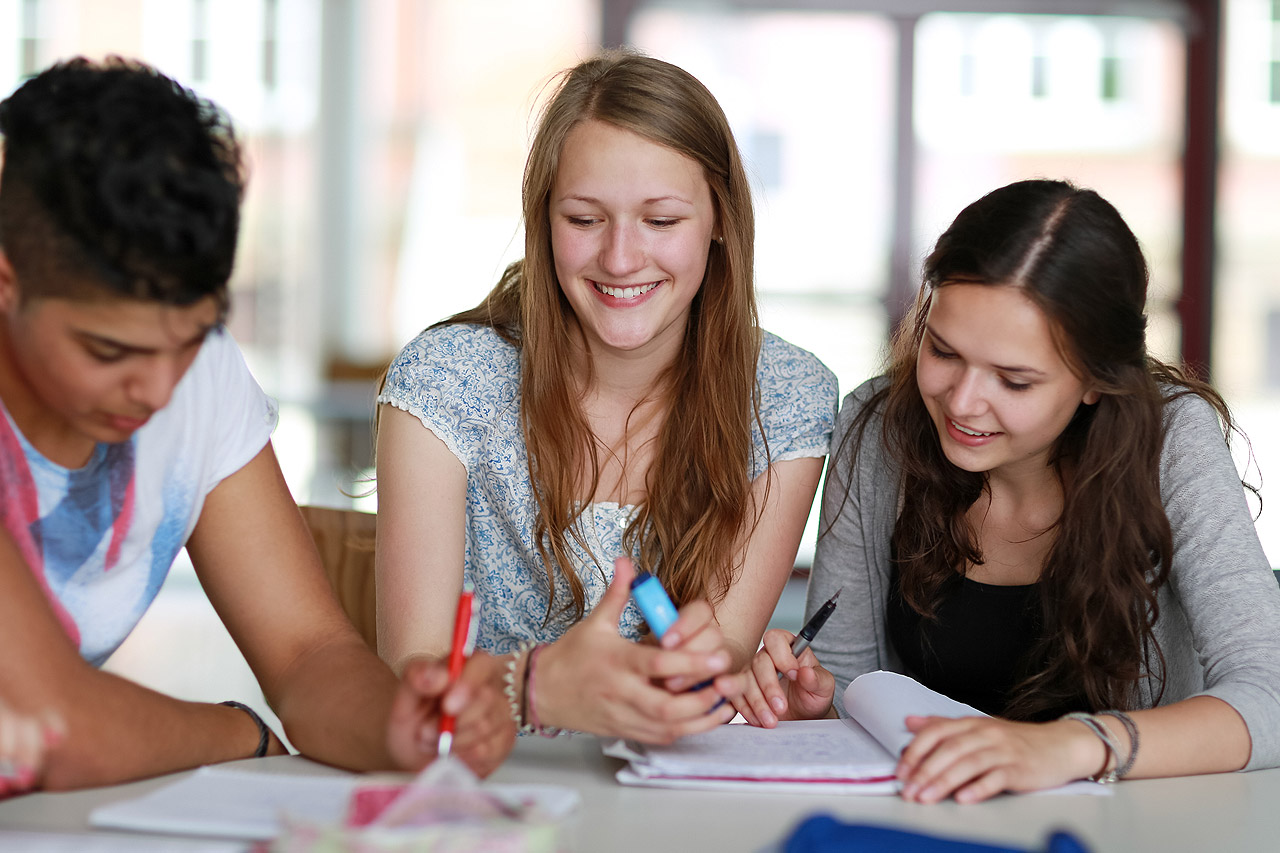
856	756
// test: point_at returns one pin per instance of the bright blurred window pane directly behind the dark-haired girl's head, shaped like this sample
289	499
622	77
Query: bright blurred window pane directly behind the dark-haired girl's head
1096	101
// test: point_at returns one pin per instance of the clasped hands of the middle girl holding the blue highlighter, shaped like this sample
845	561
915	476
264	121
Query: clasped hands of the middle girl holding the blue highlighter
595	681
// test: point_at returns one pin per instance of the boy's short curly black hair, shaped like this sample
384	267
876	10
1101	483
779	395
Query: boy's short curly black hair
117	179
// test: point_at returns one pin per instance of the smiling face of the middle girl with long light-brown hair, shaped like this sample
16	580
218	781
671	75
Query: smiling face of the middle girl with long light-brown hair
632	227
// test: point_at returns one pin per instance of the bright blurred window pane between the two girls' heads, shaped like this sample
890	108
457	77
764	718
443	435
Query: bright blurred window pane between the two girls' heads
820	88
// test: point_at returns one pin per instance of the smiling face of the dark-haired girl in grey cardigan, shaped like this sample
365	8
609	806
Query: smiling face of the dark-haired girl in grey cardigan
994	380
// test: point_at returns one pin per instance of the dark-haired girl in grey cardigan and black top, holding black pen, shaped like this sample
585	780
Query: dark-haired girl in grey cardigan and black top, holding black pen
1034	516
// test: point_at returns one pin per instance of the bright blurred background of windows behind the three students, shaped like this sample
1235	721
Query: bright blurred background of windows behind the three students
386	144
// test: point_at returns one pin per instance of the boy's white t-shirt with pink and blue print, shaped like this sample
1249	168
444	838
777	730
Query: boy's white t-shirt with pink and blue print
102	539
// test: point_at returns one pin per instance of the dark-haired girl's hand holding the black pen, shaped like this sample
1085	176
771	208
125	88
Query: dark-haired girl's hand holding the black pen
804	692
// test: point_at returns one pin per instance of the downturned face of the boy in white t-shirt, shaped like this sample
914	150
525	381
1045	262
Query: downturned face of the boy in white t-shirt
80	372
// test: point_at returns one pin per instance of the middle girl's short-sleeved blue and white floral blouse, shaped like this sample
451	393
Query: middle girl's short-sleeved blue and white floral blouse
463	382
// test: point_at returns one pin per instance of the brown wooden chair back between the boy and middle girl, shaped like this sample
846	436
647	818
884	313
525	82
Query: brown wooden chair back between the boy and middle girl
346	542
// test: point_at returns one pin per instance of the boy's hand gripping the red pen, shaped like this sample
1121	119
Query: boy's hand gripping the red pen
484	731
